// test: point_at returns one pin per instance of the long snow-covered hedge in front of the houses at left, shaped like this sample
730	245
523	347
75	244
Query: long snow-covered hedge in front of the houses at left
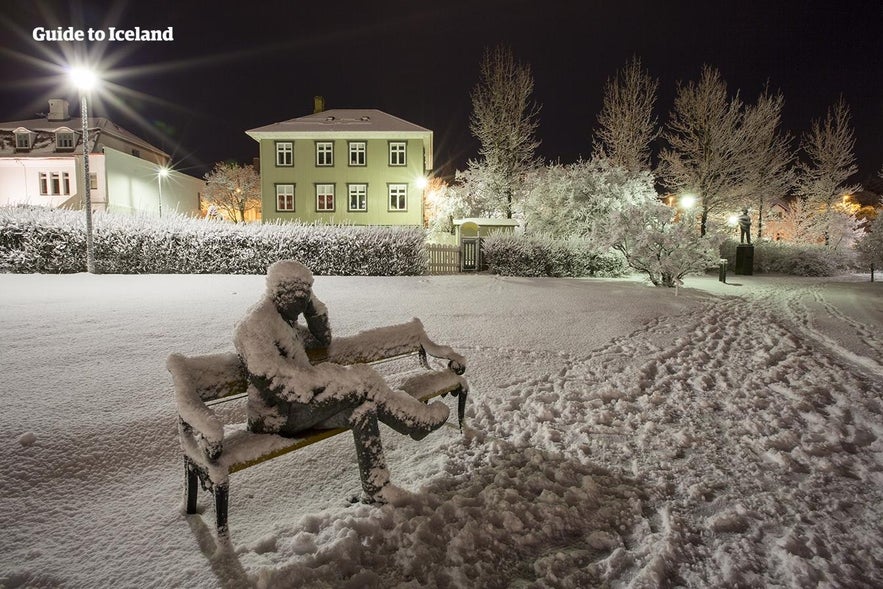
54	241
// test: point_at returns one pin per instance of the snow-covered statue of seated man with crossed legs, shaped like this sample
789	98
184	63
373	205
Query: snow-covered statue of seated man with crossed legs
288	395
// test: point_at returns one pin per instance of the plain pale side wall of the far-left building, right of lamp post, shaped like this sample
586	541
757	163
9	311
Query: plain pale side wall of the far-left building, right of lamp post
134	187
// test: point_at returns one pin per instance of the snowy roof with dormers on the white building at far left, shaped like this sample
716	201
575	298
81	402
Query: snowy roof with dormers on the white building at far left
97	126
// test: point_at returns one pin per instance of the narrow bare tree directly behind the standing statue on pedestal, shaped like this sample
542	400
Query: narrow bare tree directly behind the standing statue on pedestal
770	171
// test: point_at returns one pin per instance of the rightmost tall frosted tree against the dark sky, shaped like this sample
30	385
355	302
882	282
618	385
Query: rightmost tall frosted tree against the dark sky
823	178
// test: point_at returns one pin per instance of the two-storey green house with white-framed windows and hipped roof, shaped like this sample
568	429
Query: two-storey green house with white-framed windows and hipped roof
353	166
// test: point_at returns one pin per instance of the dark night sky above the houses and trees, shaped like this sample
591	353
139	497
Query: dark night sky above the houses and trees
234	66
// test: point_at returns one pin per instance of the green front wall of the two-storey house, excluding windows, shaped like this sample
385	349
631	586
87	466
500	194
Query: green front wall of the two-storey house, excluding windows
377	174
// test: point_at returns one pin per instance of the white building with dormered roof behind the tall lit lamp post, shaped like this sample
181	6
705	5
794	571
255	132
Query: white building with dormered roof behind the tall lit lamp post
41	163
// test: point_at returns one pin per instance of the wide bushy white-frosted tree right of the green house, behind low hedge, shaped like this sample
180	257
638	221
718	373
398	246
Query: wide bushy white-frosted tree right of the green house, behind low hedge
568	200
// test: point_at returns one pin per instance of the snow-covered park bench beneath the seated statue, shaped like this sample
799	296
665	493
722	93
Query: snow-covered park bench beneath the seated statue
214	450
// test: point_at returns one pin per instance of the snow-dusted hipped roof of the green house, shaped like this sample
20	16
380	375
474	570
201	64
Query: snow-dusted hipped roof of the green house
341	120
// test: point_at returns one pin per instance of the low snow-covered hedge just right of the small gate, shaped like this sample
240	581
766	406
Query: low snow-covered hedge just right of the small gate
512	254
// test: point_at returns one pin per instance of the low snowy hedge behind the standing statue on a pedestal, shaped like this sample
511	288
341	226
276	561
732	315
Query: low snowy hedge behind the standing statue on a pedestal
796	259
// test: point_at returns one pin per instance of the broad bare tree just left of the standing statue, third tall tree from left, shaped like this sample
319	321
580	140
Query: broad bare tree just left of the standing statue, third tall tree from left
707	153
